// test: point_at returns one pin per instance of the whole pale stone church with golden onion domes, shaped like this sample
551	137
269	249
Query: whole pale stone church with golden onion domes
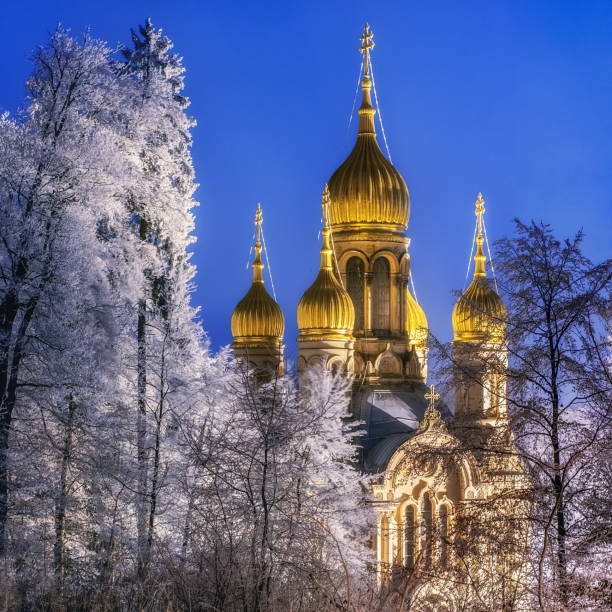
449	490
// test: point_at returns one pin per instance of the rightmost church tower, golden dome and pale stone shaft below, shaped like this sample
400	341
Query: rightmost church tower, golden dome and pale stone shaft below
480	354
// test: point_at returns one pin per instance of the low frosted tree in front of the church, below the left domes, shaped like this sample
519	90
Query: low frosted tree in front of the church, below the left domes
279	514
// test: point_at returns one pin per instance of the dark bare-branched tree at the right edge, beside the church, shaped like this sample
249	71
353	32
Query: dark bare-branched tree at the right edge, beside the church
559	392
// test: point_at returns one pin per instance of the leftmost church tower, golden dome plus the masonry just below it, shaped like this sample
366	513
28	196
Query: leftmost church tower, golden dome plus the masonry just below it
258	323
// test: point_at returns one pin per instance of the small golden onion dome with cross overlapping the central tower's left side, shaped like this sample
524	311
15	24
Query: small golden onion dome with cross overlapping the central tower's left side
326	309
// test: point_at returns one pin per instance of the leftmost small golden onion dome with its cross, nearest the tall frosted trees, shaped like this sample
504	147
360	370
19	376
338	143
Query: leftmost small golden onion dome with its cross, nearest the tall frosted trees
258	319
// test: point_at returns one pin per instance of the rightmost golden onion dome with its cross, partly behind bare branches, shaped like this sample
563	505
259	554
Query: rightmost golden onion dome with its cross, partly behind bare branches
479	314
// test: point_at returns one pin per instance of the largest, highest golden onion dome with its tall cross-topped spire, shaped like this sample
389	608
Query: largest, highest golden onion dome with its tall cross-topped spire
367	189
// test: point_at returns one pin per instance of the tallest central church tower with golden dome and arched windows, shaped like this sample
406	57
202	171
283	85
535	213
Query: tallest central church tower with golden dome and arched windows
368	216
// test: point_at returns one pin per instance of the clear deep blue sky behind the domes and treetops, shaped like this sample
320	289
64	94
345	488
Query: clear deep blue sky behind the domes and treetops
509	98
